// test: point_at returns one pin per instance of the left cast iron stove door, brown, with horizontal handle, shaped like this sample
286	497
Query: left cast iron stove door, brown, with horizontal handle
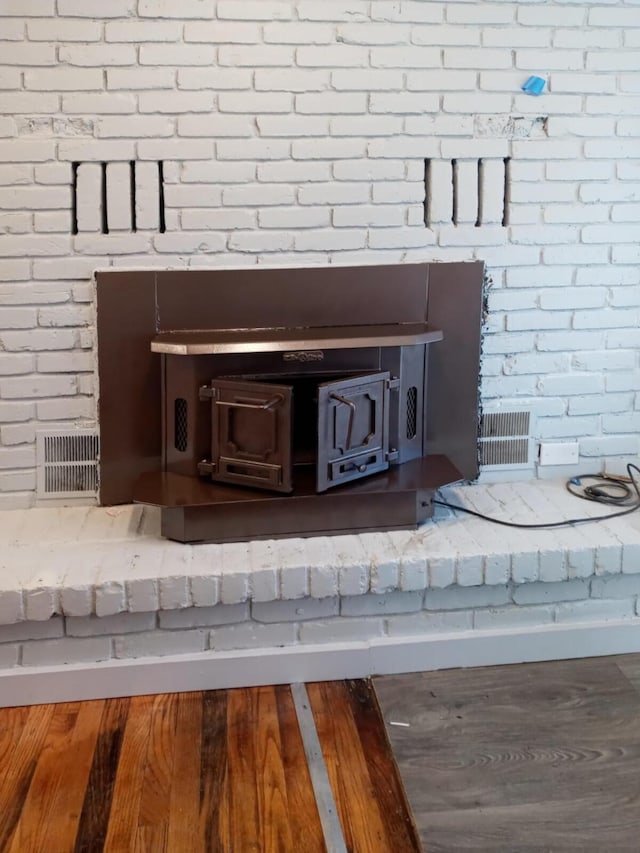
251	434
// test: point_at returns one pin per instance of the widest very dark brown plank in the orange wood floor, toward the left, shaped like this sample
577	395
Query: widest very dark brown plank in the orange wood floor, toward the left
92	829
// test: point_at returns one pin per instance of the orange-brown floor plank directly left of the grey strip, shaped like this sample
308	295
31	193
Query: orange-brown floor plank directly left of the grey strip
306	830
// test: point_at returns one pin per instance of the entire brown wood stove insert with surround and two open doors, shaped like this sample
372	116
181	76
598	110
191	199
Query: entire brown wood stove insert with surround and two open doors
277	402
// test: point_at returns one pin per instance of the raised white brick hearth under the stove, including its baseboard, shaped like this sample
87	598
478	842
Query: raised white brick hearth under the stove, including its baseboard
94	602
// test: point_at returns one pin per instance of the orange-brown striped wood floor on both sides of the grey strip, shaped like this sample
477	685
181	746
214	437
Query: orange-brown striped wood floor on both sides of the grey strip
216	771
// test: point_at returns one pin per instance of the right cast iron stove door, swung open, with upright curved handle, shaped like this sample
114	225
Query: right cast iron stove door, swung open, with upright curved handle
353	429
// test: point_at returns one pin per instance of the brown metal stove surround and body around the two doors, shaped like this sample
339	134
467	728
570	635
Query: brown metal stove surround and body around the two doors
205	325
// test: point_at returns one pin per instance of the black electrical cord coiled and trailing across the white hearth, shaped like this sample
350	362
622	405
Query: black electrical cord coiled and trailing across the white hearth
602	488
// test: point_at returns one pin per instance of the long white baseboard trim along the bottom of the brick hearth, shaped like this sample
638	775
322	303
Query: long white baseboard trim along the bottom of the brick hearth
326	662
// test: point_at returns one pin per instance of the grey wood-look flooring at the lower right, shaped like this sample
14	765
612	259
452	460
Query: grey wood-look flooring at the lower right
521	759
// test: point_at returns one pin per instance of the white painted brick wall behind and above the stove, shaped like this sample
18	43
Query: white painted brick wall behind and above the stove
295	131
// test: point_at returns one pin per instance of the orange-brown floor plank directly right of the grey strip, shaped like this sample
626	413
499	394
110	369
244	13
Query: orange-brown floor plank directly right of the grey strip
362	823
